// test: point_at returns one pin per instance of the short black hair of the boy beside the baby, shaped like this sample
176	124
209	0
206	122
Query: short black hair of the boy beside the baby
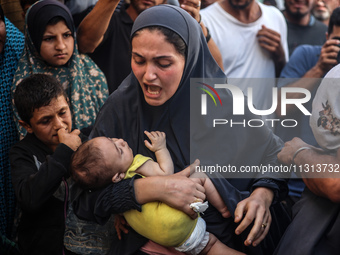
34	92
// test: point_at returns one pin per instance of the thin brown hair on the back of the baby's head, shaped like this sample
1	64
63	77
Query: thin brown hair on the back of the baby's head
88	169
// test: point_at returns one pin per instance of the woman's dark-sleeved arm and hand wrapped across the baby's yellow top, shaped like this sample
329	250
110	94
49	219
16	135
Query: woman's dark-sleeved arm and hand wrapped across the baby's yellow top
176	190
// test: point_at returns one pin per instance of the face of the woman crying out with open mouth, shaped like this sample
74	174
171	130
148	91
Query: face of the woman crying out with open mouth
157	66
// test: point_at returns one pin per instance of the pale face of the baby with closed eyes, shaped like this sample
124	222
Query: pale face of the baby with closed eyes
117	153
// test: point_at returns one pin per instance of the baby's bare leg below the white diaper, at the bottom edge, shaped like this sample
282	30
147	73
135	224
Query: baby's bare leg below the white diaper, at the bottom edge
216	247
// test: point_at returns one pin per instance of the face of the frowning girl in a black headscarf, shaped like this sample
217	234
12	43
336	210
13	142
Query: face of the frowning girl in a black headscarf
57	44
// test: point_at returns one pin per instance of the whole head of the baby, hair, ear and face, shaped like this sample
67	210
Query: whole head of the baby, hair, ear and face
100	161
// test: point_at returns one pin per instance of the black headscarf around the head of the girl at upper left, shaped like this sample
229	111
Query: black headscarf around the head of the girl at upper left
41	13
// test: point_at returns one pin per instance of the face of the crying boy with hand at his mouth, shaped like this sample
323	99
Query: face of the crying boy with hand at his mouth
47	120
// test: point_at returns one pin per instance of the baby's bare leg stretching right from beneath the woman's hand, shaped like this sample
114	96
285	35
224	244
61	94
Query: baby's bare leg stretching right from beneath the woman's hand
212	194
